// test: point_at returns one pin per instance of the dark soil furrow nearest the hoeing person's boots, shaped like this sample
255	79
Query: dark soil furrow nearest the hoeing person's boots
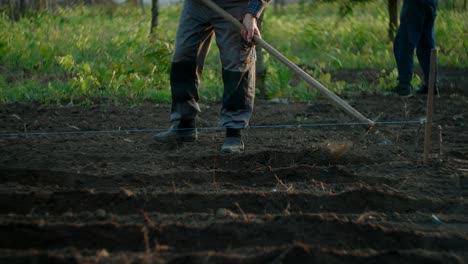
262	176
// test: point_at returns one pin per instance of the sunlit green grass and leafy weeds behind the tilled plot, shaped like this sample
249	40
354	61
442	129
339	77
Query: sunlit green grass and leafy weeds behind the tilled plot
76	55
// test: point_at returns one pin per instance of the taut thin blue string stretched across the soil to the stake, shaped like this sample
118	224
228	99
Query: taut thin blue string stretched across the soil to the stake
299	125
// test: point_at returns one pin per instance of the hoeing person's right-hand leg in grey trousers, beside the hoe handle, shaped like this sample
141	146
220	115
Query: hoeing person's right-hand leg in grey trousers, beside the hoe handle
238	61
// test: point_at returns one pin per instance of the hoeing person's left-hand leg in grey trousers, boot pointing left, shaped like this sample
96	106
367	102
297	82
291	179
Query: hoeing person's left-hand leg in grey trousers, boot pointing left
193	41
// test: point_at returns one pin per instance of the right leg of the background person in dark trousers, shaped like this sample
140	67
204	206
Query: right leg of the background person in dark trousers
426	44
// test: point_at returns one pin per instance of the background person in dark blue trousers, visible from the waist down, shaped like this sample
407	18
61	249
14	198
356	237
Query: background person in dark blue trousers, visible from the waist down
416	31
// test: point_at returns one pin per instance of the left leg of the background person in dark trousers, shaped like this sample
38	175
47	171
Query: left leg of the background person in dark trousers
406	40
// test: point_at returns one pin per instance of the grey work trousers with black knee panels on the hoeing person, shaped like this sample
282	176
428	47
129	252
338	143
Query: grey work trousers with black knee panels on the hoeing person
197	26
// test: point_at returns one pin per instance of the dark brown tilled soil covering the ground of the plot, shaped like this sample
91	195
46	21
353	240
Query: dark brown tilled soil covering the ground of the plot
117	197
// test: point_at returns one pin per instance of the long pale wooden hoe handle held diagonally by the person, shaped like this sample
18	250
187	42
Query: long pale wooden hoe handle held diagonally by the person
306	77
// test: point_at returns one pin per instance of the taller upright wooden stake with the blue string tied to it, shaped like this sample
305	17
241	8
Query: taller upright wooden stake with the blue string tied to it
429	110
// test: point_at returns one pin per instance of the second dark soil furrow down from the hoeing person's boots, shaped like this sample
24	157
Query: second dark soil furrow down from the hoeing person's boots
354	201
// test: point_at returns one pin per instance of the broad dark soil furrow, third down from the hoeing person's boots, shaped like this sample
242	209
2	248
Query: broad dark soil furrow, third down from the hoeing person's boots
311	230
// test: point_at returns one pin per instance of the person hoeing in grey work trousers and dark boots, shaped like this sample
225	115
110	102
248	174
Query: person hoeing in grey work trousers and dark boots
197	26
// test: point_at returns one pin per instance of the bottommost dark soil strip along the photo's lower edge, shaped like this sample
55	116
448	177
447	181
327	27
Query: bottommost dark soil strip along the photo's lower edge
297	252
